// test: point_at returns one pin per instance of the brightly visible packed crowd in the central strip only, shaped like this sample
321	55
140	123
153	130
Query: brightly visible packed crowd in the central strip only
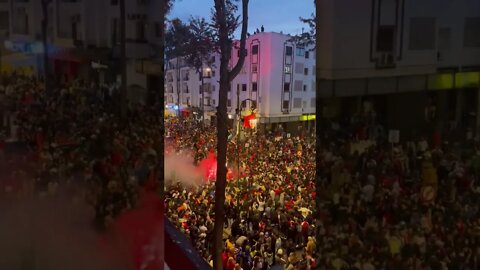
269	199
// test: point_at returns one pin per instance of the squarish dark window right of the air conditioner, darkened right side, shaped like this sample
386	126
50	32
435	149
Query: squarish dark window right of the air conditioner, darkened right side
422	34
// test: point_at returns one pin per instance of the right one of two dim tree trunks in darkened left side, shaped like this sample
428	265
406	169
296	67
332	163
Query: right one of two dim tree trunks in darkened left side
123	62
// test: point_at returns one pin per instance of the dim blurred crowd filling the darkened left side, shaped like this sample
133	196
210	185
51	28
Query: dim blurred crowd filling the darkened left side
72	139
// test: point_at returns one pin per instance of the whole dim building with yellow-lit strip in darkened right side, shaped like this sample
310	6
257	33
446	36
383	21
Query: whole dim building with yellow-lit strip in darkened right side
406	58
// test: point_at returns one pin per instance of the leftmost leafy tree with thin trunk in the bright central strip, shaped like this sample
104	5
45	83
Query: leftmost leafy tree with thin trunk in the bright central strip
177	38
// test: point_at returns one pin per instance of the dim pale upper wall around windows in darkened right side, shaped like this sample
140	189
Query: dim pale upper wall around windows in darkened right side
344	45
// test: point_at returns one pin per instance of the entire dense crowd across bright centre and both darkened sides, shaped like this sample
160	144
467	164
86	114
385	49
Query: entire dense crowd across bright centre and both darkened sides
413	205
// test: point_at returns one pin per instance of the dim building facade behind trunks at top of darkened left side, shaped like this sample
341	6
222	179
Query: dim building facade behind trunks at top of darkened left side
84	31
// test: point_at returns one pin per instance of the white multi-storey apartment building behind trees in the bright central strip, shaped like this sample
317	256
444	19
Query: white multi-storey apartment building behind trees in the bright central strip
277	79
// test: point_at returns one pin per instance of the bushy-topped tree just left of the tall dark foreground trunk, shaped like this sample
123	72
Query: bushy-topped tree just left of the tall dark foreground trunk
200	50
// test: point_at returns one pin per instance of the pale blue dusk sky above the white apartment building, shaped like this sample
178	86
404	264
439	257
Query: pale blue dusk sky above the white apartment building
274	15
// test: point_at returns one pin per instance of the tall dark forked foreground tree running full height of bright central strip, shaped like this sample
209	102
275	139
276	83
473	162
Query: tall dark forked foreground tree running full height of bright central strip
225	22
